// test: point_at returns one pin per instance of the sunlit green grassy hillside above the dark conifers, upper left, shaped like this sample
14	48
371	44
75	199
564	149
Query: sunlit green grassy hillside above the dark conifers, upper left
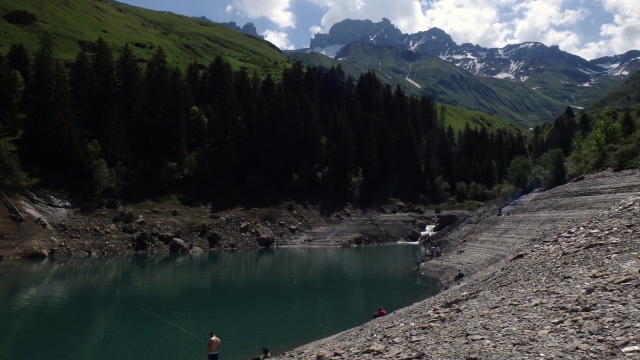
76	23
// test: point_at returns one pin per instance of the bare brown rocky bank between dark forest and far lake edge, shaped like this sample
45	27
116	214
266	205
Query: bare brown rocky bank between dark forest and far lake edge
43	226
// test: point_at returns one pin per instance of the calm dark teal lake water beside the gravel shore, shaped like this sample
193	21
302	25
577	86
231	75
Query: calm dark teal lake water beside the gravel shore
163	306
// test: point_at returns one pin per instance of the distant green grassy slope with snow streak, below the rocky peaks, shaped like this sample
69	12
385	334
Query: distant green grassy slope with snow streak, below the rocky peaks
427	75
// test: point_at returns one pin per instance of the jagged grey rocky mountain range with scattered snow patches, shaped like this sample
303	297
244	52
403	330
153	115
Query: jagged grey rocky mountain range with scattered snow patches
516	61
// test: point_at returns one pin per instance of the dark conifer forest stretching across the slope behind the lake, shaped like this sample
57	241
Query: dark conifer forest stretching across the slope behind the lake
106	125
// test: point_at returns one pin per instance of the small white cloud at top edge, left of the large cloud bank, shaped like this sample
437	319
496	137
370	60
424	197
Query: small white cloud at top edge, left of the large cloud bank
278	11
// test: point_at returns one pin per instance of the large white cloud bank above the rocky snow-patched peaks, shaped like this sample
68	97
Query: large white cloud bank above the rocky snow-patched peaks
496	23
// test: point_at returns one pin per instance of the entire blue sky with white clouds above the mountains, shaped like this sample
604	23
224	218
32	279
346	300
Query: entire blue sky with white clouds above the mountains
589	28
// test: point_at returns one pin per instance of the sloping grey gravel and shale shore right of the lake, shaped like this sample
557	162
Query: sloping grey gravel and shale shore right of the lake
558	278
